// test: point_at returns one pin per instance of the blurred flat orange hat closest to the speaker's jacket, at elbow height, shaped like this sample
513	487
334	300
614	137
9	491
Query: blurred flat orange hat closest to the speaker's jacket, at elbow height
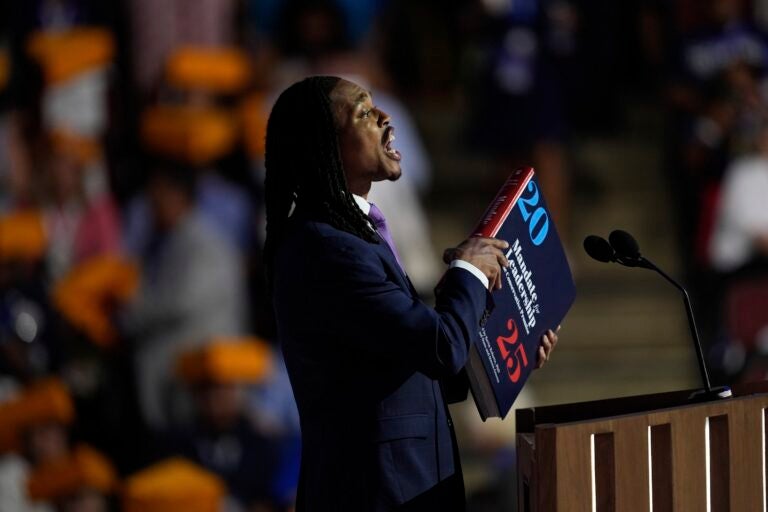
227	361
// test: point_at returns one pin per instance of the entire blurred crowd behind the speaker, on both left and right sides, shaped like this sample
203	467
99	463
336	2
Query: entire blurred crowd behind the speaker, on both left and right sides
139	368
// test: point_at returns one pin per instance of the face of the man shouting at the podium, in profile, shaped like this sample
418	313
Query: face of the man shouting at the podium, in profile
365	138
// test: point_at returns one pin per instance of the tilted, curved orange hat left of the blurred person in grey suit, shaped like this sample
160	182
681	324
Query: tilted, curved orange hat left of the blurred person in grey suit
85	295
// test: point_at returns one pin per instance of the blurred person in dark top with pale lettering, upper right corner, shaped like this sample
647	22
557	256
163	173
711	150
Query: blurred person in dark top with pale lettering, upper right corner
717	65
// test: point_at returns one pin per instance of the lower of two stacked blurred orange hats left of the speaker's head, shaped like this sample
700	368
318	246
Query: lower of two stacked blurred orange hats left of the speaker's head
196	135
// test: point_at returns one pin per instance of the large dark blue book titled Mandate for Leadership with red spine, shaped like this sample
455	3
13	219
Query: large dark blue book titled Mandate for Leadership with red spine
537	292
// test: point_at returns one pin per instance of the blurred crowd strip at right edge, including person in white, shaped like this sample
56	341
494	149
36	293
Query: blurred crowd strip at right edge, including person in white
716	147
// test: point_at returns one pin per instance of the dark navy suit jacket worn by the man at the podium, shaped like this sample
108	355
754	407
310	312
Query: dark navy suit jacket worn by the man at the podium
366	357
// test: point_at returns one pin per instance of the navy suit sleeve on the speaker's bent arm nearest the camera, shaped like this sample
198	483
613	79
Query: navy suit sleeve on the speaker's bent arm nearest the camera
383	319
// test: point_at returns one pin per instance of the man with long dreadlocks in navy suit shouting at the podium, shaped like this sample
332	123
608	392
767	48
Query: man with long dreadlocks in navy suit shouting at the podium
369	363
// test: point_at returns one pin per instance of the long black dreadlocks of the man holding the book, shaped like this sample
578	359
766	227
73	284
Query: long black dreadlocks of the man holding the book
304	165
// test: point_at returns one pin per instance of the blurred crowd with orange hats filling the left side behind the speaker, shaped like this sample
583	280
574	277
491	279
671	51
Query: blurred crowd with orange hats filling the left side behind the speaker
138	362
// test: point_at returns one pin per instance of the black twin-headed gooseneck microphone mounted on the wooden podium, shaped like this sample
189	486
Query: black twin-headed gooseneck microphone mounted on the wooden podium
623	249
